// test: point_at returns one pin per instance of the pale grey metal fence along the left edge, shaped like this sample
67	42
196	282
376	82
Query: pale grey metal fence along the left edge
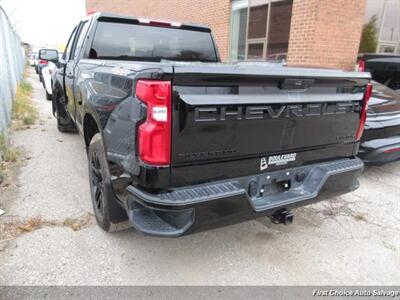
12	60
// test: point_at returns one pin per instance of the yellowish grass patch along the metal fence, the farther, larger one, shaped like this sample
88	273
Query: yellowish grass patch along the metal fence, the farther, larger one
24	113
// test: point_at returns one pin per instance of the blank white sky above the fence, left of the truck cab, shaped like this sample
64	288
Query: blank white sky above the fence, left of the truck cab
44	22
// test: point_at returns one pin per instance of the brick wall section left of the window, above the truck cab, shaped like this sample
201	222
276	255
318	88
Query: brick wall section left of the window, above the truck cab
216	14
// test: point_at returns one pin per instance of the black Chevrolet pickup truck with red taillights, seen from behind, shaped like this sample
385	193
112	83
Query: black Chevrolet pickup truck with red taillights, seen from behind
178	142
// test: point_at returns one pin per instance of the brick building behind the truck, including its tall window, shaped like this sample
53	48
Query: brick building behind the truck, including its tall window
323	33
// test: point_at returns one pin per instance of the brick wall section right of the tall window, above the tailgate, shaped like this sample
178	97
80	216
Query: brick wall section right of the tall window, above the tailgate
325	33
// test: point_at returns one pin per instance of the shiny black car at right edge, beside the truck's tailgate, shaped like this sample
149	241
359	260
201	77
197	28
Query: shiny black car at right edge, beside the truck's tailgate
381	139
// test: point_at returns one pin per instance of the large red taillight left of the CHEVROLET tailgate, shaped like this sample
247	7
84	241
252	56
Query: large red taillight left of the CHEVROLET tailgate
154	135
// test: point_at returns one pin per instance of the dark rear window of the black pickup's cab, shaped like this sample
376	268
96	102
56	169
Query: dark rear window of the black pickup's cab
149	43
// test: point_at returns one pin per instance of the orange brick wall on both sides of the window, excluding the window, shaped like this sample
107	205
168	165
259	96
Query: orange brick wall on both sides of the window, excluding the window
323	33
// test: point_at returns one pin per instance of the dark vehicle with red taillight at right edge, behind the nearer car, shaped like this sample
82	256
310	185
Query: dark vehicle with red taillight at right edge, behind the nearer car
384	68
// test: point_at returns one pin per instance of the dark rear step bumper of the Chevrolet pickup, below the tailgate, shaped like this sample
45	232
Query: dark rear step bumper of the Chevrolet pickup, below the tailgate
173	213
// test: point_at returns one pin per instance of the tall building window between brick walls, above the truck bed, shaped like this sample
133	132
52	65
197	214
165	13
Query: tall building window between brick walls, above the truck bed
260	29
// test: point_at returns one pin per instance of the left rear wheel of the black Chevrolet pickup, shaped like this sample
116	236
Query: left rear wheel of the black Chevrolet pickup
110	216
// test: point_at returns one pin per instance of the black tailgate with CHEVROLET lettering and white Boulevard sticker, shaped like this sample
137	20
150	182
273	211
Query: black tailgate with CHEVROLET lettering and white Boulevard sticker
262	117
